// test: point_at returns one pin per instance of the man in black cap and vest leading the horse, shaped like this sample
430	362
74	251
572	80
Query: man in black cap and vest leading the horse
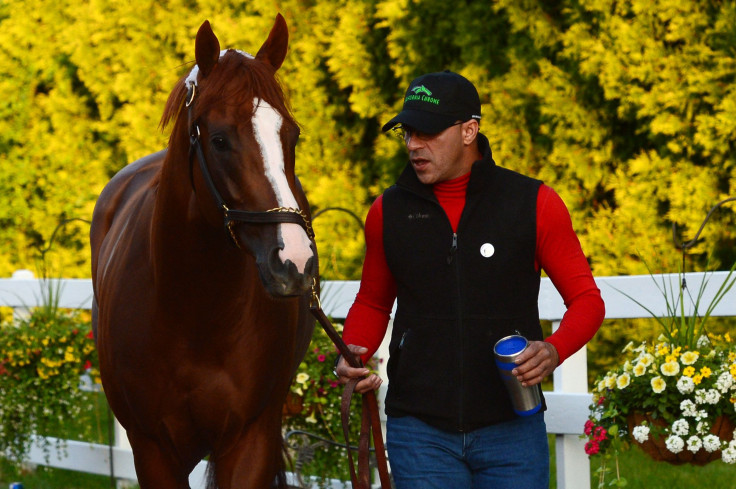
459	243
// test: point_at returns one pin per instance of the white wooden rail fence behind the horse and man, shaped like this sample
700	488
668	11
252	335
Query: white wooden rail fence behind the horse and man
567	403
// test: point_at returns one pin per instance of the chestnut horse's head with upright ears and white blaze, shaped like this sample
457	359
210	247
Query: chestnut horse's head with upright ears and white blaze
232	113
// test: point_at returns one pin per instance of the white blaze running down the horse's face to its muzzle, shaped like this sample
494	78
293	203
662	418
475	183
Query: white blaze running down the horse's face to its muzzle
266	128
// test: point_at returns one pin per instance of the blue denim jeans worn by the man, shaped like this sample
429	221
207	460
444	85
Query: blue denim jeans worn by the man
512	455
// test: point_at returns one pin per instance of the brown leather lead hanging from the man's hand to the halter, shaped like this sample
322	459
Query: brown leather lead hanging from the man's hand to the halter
370	420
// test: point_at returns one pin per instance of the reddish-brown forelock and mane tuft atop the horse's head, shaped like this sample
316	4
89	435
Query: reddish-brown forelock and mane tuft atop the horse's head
235	81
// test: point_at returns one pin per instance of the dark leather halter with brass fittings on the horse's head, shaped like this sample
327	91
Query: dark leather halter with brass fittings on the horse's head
233	216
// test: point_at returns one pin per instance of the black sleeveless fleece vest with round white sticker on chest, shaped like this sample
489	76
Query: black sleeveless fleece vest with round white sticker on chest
457	294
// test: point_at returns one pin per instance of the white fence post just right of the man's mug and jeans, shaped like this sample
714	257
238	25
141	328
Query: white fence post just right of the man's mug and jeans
573	466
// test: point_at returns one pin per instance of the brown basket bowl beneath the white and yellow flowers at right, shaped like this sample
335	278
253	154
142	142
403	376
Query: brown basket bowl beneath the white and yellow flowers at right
656	444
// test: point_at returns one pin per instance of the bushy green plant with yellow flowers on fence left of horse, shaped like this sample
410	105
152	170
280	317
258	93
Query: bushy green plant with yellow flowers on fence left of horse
42	361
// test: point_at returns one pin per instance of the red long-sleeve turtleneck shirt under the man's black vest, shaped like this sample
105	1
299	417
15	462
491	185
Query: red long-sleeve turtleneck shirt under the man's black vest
558	253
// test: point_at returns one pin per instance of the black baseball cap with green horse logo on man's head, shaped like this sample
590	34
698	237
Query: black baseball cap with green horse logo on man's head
435	101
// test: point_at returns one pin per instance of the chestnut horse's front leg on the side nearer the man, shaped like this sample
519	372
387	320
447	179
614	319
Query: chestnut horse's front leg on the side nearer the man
255	458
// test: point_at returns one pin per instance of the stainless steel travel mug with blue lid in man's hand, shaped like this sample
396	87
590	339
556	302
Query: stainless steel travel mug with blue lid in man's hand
525	400
